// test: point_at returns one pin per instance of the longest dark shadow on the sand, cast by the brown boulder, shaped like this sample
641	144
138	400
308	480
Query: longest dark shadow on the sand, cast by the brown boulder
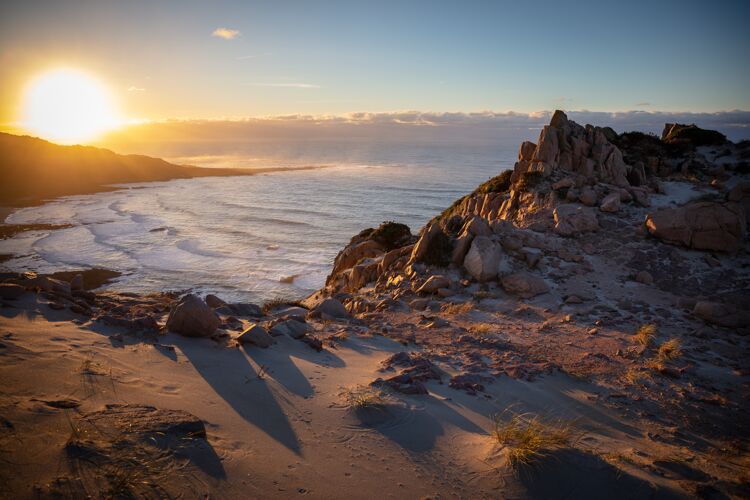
231	376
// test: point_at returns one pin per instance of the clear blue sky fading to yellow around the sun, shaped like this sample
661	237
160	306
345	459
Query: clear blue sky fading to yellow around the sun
329	57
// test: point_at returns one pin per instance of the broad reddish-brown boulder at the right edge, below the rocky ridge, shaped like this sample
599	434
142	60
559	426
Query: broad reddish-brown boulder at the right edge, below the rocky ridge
700	225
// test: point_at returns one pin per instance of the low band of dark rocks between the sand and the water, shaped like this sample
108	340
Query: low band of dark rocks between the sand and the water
188	315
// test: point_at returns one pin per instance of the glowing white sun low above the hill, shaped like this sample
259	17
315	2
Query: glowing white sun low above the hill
68	106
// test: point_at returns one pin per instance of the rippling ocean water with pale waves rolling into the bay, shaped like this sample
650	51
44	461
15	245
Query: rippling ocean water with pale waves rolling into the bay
244	238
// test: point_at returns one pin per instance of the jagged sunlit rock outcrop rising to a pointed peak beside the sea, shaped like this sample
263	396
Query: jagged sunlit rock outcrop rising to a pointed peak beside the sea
573	183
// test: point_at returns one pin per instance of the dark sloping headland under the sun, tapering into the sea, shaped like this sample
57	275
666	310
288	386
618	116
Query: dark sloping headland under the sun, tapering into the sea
33	169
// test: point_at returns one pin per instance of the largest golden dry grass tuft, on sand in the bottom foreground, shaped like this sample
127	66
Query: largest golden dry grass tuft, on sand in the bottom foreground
528	437
